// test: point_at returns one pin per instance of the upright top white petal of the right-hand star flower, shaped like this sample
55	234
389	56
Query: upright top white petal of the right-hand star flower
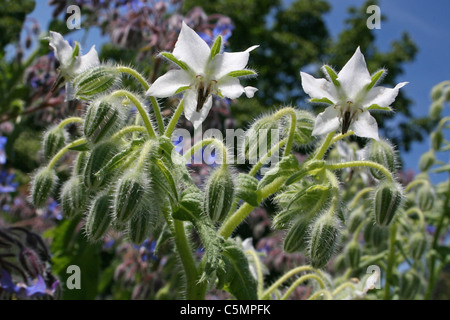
354	76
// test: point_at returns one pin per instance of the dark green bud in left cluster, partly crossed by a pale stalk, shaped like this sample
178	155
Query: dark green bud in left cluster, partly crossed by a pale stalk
98	158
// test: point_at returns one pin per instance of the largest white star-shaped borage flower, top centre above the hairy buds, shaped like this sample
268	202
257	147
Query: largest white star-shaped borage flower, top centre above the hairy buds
204	72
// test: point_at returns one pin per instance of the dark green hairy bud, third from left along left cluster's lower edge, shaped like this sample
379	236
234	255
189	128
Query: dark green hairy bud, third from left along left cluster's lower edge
99	217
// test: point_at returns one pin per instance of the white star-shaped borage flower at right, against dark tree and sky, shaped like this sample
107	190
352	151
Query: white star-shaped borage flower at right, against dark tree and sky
351	94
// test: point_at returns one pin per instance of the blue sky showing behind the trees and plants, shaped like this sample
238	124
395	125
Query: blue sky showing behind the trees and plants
428	24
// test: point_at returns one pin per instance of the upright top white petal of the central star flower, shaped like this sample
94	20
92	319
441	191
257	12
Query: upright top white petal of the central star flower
192	49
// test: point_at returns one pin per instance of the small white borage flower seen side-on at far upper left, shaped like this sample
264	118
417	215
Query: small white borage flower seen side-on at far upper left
72	63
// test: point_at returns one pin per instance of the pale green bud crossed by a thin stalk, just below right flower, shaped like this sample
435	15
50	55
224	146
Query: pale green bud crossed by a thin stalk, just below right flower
382	152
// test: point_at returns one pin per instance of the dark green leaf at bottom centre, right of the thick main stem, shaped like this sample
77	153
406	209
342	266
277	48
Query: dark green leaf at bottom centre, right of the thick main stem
237	278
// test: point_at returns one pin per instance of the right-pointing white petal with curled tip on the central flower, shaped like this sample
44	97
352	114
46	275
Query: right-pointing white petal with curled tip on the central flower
222	64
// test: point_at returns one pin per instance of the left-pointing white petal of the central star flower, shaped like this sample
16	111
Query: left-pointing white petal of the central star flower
169	83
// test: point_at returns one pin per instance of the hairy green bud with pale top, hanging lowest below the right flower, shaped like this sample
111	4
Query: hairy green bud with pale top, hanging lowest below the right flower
325	236
